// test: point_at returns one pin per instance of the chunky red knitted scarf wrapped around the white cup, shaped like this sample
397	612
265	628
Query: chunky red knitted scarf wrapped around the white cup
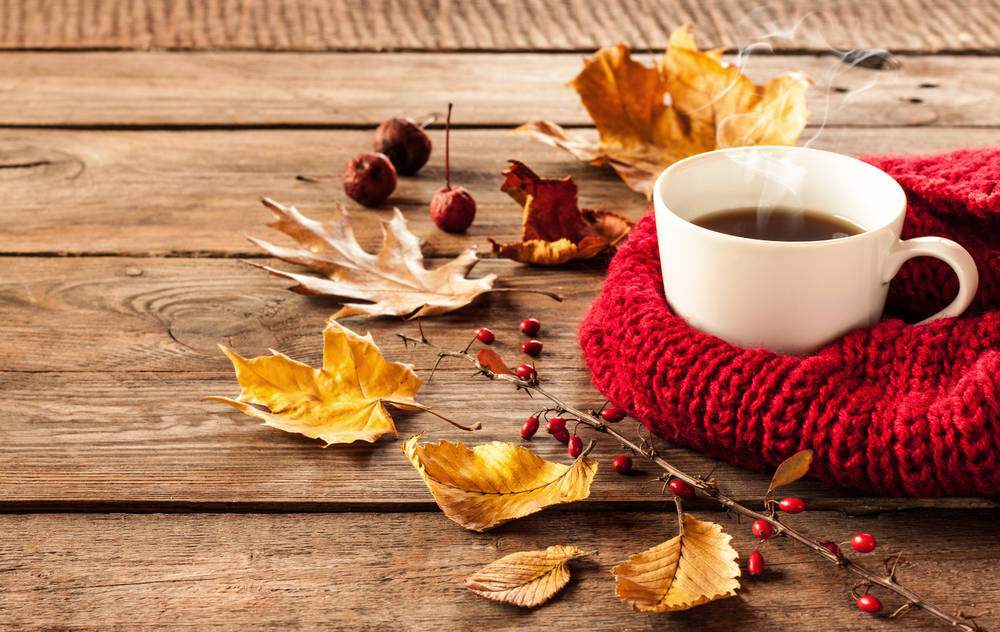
893	409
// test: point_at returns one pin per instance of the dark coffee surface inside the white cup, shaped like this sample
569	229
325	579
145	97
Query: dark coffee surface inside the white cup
778	223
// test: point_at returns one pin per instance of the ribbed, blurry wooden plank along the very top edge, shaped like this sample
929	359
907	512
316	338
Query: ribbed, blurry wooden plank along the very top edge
493	24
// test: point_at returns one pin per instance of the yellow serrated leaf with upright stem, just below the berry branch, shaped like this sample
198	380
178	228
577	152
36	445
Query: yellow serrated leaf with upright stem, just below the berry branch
696	567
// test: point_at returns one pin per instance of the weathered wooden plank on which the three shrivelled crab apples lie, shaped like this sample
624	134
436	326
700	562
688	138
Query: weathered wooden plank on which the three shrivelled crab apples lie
154	193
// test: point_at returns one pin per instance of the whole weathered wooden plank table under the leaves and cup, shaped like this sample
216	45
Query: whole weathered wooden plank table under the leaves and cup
137	139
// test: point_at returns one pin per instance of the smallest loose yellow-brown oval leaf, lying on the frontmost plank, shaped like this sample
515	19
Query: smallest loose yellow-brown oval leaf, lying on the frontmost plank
526	578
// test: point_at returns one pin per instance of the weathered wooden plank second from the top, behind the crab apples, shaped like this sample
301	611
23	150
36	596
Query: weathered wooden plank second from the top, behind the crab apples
261	89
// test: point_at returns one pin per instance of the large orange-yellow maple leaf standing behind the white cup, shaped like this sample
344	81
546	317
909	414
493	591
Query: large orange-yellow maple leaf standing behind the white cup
690	102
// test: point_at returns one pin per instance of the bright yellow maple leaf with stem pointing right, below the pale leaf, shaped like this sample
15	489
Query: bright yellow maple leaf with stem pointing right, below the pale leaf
340	403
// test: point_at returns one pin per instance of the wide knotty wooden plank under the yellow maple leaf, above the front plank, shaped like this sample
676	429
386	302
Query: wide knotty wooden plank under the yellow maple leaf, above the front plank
106	360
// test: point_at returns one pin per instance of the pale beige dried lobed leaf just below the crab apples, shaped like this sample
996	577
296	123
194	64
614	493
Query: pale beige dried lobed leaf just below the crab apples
394	280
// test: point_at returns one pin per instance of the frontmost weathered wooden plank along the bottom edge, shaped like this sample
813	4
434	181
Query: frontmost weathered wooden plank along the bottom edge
405	572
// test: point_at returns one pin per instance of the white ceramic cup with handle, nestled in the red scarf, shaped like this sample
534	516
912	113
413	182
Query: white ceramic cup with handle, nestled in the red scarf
788	297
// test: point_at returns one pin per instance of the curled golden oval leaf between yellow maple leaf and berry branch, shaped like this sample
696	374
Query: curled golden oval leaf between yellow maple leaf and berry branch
496	482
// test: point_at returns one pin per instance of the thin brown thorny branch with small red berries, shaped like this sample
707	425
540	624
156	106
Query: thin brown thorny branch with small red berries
766	524
